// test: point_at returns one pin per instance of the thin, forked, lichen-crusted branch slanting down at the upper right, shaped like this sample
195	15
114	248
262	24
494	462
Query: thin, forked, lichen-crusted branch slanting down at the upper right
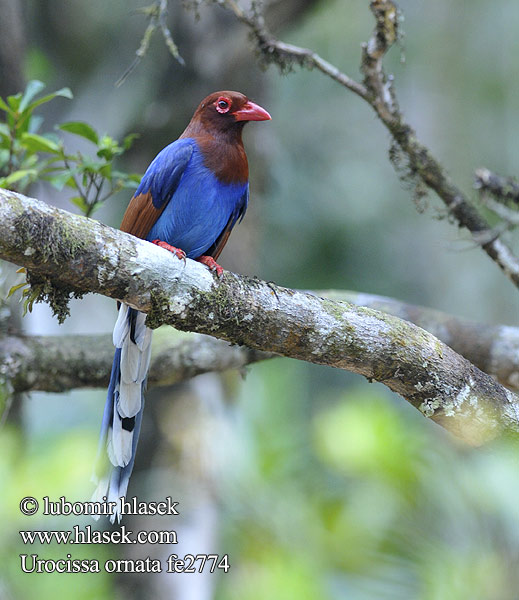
378	91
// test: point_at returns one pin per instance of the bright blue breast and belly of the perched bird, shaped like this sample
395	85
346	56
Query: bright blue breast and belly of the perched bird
200	207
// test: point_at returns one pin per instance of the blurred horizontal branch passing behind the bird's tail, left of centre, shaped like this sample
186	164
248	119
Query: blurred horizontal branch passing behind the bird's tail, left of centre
61	363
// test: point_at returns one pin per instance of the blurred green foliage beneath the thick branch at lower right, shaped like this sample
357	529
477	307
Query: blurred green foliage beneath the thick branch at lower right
363	499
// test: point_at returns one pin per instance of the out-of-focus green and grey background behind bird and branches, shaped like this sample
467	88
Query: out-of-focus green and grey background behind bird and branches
316	484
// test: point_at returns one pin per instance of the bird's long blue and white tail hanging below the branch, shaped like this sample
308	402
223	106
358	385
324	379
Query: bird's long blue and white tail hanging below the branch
123	409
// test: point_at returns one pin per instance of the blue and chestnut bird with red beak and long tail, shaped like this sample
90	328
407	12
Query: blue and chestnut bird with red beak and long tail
191	196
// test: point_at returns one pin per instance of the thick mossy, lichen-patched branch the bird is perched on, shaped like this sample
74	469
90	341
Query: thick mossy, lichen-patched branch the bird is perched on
75	254
